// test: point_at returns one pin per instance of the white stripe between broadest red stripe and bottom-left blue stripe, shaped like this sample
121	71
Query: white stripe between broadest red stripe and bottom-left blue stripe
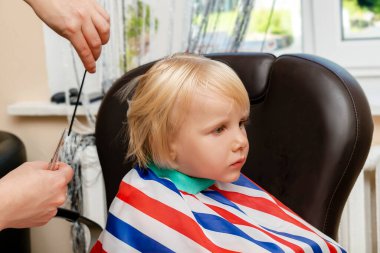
156	230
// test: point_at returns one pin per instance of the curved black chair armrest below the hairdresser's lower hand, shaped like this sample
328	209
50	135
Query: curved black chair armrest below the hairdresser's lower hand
72	216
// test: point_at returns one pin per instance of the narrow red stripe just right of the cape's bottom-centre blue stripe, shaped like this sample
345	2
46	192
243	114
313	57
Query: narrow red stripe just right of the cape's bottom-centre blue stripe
237	220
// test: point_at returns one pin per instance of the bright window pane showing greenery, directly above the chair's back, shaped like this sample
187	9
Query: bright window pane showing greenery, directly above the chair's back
249	26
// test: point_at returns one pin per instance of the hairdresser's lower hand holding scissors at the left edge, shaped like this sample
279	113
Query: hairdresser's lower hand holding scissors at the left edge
30	194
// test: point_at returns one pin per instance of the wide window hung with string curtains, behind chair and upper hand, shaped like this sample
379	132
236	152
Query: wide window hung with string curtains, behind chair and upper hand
145	30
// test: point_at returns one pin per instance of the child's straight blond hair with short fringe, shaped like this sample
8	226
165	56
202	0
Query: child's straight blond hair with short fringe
171	83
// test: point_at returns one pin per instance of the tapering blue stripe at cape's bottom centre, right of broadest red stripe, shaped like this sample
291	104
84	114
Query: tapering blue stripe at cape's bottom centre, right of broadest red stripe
218	224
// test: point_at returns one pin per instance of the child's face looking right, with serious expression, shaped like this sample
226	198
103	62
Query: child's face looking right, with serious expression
212	141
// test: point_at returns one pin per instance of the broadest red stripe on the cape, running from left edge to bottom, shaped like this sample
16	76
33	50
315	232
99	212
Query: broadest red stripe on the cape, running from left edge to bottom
166	215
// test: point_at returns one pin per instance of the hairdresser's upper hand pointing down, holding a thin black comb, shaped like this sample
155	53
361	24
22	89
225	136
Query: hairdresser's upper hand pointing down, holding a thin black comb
83	22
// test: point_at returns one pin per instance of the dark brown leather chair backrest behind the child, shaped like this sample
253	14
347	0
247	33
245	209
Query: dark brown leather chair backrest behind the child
310	132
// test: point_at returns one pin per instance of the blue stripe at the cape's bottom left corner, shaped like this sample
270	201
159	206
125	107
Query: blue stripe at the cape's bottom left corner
133	237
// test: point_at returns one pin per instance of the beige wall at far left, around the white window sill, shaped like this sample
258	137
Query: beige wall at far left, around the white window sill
23	77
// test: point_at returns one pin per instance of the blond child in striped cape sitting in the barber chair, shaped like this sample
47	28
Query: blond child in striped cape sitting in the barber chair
186	125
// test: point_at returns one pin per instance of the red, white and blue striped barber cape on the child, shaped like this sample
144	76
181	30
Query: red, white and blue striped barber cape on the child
150	214
